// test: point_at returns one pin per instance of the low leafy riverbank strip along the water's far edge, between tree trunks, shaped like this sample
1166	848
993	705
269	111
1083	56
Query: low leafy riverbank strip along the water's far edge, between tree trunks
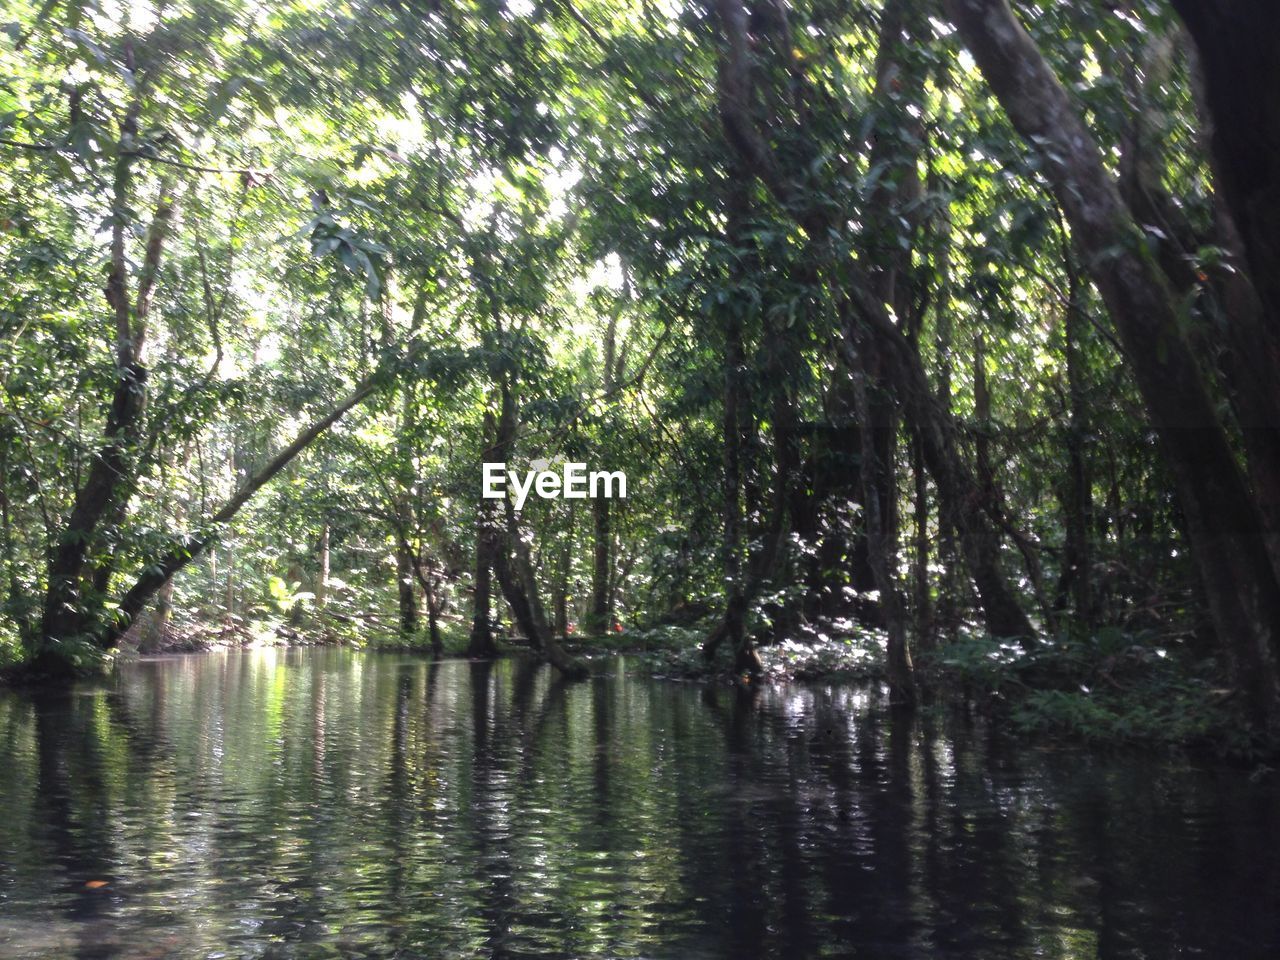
1112	689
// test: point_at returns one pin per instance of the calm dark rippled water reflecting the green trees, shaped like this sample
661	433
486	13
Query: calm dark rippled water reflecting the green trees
322	803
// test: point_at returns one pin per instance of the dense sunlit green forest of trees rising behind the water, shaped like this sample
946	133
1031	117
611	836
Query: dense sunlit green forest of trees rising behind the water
939	340
